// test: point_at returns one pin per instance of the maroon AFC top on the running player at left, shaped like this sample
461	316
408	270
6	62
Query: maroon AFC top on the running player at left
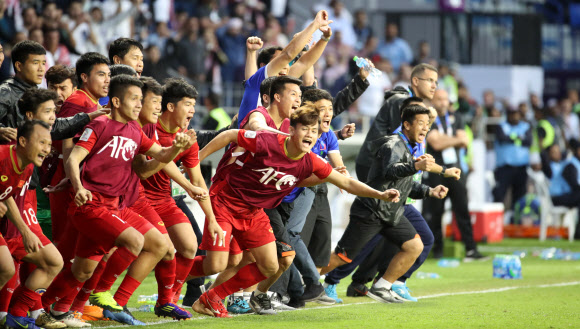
112	145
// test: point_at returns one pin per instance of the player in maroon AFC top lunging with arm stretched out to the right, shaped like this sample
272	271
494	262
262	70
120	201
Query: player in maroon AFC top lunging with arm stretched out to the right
278	164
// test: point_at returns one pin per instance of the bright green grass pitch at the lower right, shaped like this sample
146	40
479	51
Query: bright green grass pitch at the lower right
464	297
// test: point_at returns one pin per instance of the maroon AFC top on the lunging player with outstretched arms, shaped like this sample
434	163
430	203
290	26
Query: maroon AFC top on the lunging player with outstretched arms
269	175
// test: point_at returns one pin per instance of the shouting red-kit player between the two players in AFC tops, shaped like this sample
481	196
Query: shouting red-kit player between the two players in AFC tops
178	106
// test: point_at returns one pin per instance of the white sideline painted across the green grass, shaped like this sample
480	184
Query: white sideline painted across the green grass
487	291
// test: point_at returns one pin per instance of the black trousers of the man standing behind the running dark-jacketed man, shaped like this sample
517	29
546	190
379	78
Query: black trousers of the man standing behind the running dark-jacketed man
433	210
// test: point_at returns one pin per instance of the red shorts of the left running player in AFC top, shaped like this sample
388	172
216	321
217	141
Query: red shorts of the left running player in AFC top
99	224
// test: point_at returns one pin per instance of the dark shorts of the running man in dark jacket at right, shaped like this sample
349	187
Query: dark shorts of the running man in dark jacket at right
364	225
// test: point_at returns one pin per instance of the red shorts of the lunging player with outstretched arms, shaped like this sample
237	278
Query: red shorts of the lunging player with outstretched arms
250	226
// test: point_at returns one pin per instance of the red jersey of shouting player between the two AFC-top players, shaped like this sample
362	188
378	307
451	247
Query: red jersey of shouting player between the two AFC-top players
158	186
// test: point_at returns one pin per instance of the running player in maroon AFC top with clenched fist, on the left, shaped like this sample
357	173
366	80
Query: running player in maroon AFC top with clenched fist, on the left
113	141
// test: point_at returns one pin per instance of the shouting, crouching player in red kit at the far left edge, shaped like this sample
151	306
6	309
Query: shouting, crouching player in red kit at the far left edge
33	146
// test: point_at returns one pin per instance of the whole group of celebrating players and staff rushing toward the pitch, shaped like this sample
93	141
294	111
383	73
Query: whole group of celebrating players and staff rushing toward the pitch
101	147
